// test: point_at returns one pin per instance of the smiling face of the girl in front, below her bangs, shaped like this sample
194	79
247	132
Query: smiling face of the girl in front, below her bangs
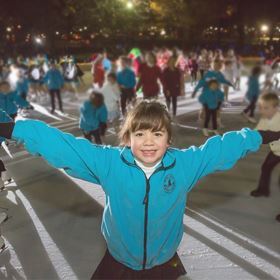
149	146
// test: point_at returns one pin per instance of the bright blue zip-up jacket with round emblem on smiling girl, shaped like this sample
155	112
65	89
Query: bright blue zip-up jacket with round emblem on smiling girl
137	207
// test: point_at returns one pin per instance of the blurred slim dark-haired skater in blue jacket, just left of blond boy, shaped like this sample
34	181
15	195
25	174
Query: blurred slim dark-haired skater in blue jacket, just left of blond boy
252	94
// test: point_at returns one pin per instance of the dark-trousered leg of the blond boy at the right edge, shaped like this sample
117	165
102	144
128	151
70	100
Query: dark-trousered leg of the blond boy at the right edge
264	182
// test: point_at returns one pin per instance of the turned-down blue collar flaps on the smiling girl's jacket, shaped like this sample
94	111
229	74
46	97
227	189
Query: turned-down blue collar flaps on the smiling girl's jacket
167	162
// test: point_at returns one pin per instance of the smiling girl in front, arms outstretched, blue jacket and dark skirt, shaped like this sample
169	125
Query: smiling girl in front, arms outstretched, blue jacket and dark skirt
146	183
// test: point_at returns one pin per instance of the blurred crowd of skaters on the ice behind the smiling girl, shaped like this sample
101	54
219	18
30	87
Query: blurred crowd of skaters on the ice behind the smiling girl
116	85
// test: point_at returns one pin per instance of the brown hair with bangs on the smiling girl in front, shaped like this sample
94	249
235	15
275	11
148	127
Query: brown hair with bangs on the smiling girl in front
150	115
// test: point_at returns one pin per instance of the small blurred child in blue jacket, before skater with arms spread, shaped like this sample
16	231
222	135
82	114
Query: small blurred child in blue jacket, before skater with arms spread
211	100
